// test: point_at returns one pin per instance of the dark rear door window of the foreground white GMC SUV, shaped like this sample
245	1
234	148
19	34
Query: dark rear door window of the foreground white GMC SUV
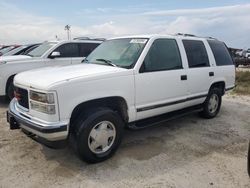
196	53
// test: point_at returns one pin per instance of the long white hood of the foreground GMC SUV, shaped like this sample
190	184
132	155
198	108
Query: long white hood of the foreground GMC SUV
45	78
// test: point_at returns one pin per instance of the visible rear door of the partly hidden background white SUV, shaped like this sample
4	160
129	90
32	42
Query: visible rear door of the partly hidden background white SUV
84	50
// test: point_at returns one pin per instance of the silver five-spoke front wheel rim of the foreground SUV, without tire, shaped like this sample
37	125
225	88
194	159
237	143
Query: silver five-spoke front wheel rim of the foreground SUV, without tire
101	137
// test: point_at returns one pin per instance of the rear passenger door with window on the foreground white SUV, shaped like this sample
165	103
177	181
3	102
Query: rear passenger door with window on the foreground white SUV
199	72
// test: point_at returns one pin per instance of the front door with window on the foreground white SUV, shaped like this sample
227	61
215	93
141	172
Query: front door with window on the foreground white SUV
161	82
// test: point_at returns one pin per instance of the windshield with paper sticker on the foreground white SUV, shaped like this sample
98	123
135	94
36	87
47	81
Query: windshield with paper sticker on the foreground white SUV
119	52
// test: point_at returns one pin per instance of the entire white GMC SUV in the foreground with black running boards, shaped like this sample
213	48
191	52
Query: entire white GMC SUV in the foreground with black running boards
130	81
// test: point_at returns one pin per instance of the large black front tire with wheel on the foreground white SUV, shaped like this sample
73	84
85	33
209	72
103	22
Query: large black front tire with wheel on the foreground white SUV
97	126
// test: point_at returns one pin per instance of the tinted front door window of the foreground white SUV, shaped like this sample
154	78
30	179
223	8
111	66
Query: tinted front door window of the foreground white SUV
163	55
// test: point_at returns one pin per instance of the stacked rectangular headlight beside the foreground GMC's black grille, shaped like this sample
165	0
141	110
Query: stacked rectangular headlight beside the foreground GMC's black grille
42	102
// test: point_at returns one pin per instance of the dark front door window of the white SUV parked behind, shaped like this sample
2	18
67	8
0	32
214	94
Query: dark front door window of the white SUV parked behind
68	50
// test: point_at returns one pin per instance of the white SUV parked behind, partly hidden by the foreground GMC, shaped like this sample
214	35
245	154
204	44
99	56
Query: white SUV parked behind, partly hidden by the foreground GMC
56	53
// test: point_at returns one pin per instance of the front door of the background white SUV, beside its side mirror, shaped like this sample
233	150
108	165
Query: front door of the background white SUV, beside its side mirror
67	52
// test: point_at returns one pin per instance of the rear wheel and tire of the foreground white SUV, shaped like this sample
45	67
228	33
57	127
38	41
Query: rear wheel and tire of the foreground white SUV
212	104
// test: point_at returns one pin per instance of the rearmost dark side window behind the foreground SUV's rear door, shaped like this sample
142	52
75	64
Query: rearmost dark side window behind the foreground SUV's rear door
221	53
